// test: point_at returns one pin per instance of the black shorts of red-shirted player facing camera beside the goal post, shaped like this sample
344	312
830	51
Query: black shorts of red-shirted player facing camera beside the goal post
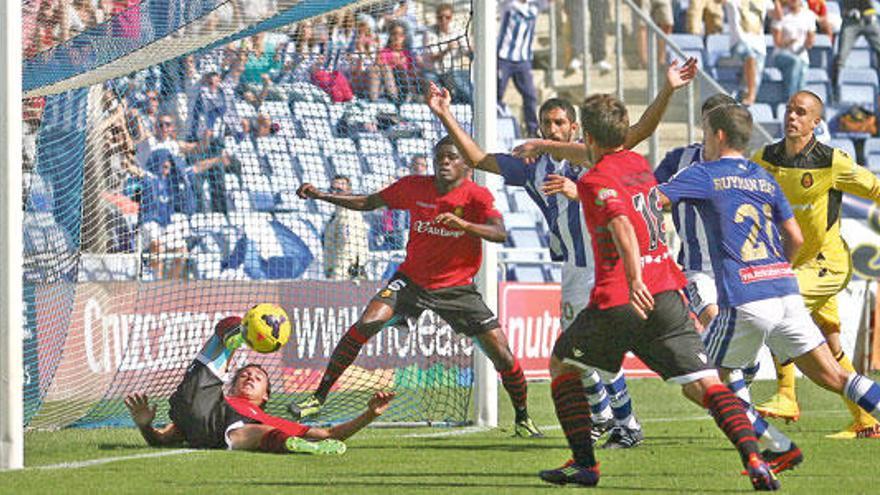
461	307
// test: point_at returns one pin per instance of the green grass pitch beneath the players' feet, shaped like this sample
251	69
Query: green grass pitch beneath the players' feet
683	453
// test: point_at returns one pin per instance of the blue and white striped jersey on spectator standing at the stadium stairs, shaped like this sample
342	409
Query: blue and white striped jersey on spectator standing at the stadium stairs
517	30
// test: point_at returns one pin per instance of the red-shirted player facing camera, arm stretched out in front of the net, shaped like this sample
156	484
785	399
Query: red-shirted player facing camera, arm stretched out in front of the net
450	215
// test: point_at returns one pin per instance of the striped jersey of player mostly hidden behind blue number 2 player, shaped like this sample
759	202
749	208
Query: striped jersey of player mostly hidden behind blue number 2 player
694	253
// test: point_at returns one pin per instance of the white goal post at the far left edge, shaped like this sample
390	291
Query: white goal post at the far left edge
11	327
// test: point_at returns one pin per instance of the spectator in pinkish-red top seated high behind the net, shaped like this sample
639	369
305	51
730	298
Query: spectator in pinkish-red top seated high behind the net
397	65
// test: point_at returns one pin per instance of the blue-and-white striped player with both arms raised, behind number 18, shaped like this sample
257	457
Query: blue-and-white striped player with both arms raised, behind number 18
550	184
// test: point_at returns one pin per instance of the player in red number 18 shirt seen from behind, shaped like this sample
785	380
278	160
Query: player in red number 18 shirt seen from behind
636	304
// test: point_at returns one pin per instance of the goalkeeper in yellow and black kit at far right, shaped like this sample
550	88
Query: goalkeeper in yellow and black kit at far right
814	177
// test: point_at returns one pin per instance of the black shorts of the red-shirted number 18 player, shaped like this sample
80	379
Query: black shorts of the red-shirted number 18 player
667	341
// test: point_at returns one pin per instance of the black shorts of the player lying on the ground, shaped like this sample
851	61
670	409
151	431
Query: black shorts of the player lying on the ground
199	410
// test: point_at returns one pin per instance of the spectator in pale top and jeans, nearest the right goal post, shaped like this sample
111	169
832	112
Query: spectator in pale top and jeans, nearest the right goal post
446	54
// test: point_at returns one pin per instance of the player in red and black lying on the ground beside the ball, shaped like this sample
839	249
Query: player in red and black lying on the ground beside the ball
203	418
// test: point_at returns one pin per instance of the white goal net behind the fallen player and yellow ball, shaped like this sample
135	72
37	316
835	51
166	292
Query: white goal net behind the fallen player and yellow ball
163	144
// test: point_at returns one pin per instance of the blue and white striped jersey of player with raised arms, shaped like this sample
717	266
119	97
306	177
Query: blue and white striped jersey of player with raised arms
569	238
